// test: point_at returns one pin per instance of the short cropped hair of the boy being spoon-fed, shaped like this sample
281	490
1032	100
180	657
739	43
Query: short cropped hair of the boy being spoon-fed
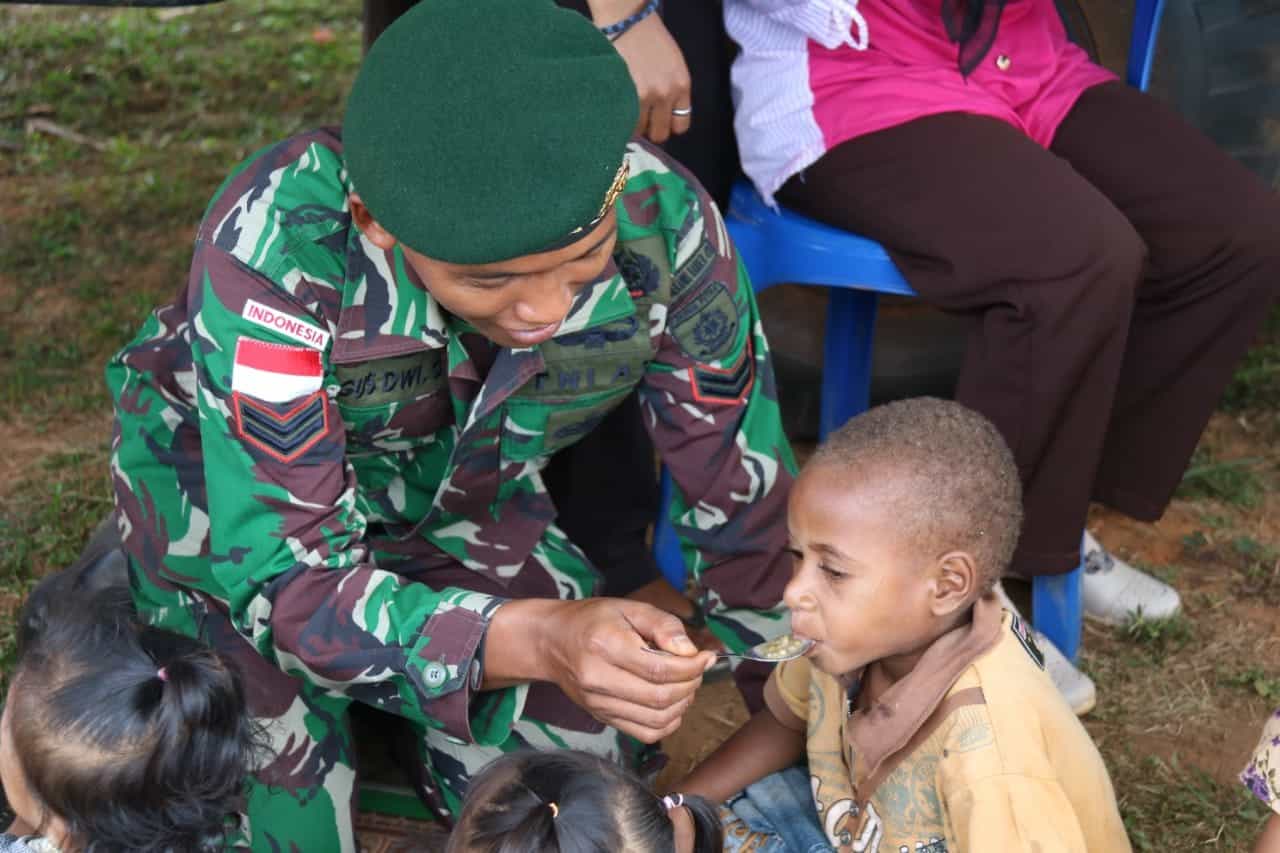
958	485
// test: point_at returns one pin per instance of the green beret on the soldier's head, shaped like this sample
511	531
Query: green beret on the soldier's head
479	131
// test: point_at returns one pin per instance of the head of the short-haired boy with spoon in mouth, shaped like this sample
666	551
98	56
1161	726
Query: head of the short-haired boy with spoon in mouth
903	518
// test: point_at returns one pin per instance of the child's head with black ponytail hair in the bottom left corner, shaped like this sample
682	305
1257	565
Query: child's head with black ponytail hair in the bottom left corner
118	737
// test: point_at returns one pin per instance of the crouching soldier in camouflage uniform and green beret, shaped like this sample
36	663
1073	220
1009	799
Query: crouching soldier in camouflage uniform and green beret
330	446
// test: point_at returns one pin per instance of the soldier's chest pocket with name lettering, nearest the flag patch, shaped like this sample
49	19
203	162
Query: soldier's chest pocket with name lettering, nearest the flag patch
394	405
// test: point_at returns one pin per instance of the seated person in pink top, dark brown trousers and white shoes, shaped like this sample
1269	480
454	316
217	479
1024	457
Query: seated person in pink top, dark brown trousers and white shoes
1113	263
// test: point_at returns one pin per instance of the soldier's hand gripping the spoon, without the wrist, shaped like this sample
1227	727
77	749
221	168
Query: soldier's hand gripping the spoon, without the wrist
598	650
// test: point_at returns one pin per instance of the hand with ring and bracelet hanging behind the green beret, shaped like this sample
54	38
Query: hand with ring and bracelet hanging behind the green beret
657	67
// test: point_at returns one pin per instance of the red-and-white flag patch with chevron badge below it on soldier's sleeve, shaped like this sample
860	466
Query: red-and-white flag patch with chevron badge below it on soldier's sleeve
281	408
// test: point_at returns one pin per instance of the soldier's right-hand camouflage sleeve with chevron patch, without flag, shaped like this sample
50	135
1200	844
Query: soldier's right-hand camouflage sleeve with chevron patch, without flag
712	409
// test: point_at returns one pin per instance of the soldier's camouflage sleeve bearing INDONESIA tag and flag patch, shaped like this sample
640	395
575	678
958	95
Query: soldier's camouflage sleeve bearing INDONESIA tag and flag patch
287	541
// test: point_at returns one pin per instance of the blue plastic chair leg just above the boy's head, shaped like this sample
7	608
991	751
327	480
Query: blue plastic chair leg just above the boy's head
847	370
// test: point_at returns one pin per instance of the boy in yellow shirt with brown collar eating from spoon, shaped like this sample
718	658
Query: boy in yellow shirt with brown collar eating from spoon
924	709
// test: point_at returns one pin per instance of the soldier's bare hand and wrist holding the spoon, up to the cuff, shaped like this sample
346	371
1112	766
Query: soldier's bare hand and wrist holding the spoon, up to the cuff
597	653
